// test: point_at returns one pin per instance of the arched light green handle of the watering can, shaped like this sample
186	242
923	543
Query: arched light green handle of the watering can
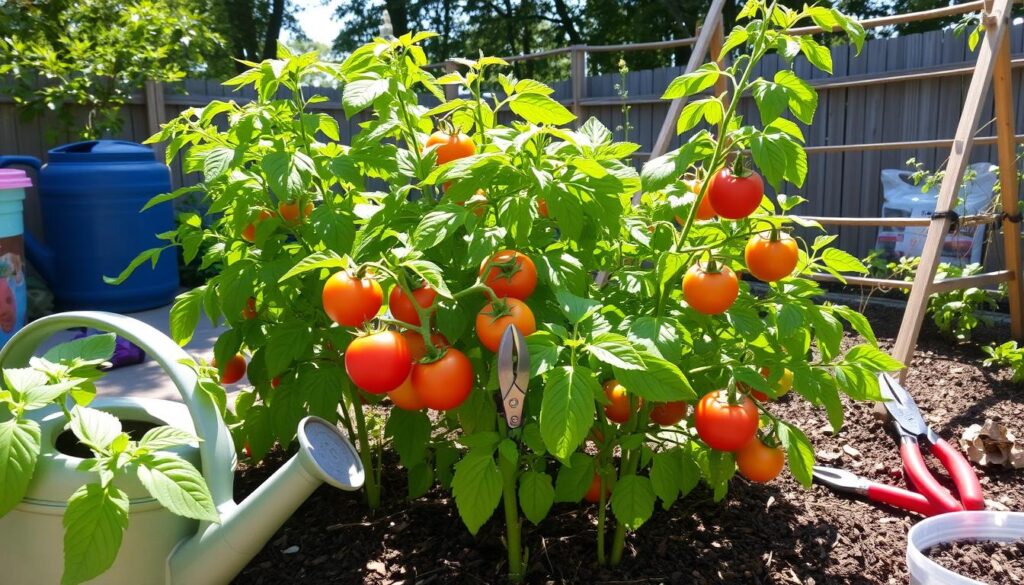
217	446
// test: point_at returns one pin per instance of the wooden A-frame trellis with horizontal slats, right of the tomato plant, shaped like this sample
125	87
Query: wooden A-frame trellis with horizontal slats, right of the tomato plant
993	68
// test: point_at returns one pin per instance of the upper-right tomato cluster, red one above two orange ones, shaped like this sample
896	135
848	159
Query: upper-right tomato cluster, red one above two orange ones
711	288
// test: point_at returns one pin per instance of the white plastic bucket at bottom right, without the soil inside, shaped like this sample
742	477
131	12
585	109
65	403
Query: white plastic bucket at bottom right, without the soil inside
1002	527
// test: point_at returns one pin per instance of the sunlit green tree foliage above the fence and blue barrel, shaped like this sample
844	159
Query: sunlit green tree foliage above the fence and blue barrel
83	61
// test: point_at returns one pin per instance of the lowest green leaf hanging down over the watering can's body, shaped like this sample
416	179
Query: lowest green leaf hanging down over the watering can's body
95	524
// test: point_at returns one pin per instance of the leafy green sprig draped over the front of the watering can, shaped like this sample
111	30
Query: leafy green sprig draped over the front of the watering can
98	513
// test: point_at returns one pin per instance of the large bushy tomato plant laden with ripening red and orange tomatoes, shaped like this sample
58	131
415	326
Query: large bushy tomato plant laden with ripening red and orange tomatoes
667	315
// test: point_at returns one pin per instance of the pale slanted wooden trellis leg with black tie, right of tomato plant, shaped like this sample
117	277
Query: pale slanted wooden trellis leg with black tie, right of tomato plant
915	315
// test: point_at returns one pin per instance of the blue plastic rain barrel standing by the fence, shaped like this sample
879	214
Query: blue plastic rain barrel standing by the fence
91	195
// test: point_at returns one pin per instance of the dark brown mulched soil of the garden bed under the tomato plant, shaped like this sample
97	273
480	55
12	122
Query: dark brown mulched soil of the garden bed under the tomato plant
778	533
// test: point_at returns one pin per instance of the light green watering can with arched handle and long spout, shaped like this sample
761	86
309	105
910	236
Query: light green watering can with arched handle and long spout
160	548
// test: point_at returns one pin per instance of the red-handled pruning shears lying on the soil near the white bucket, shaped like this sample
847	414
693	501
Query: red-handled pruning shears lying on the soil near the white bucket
931	497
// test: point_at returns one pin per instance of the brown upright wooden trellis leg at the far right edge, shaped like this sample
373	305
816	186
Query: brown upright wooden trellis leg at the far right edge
1003	97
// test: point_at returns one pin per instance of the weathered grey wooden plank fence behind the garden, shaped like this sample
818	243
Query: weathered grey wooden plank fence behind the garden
905	93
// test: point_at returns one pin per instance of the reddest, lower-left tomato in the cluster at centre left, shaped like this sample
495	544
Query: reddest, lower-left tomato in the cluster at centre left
378	363
